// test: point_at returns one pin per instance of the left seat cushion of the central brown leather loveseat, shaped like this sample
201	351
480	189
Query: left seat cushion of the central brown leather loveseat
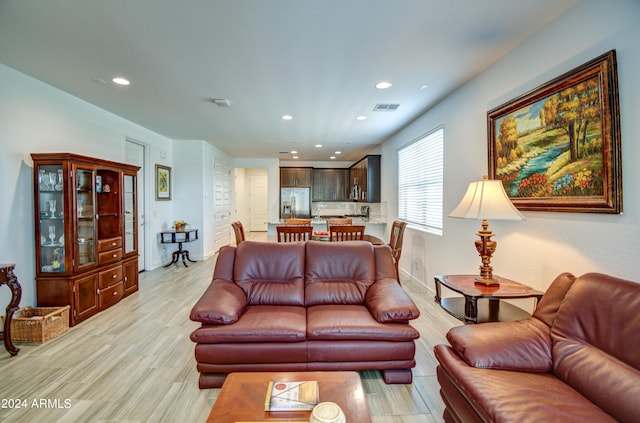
258	324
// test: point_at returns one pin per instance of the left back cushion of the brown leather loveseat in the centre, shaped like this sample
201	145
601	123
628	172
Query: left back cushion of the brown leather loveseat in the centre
270	273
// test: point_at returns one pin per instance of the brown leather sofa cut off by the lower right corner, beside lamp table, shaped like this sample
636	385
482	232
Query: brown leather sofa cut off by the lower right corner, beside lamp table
577	359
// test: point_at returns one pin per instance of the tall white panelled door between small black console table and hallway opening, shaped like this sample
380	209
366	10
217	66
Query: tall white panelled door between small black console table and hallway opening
222	203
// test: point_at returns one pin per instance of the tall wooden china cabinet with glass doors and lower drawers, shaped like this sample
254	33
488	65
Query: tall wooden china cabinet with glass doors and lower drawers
85	232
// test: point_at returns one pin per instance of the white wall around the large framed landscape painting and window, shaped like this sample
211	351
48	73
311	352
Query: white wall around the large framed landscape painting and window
536	250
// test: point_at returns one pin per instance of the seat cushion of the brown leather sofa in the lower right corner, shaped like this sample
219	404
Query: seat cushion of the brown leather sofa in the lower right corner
511	396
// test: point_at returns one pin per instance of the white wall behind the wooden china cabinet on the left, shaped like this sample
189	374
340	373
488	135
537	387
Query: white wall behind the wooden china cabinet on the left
38	118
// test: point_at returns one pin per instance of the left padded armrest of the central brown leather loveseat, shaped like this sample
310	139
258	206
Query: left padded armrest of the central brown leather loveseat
222	303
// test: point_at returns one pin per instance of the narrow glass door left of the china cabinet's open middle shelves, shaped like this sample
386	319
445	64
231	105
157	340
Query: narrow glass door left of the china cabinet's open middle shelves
86	227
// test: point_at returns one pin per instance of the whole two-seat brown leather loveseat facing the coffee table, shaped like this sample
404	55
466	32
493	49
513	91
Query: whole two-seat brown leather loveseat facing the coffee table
304	306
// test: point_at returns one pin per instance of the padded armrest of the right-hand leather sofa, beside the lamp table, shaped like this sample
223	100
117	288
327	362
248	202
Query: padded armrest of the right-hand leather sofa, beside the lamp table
523	345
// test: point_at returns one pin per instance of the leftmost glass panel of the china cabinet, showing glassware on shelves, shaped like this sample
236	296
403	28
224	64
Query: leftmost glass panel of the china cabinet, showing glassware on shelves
51	217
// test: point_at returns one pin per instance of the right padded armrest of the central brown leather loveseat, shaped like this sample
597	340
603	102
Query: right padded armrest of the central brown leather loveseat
388	302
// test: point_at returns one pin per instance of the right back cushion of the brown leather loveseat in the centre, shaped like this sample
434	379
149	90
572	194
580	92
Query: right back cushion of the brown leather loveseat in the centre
338	272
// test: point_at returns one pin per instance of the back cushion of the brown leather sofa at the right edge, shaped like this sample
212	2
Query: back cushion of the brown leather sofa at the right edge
596	343
